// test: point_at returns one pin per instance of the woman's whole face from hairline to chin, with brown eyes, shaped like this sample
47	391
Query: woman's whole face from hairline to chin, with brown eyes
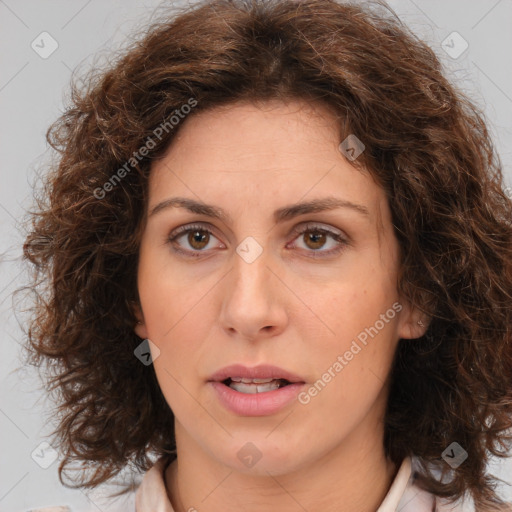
299	301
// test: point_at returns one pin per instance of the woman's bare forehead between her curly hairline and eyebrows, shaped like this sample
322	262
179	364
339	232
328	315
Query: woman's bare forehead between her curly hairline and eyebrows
262	156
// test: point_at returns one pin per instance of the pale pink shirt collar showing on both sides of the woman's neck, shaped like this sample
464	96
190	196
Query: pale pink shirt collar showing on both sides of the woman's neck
403	495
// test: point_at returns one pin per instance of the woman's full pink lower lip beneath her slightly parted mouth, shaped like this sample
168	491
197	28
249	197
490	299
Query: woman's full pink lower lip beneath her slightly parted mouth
256	404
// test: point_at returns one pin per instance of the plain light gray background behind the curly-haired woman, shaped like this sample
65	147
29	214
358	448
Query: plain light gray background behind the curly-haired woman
31	97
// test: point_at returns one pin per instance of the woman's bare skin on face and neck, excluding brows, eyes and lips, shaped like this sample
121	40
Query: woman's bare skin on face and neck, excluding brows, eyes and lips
286	308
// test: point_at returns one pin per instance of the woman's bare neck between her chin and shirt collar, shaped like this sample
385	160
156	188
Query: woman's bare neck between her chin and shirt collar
353	476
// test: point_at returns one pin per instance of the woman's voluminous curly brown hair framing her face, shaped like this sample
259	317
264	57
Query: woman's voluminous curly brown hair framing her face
426	144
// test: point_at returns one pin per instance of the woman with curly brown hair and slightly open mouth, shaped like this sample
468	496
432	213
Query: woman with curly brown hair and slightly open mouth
278	251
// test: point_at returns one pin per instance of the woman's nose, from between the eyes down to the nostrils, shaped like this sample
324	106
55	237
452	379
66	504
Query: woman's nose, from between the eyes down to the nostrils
254	305
